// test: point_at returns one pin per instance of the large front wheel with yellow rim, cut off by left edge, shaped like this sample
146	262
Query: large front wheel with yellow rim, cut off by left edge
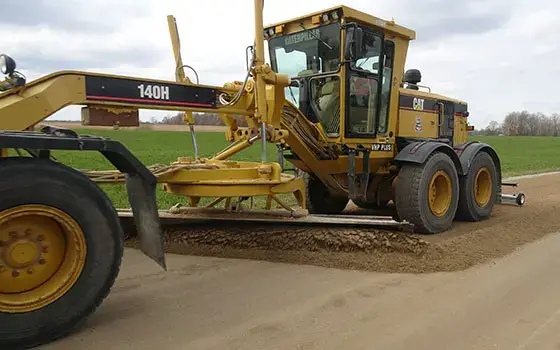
60	250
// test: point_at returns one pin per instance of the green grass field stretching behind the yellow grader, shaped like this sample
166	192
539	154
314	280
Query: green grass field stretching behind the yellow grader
520	155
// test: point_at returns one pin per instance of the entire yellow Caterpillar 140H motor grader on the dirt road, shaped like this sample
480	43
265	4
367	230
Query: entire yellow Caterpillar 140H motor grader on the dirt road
336	100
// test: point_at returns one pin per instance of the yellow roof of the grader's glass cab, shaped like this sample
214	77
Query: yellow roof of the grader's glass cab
352	15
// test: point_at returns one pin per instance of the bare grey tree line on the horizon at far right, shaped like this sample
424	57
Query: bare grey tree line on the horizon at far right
523	124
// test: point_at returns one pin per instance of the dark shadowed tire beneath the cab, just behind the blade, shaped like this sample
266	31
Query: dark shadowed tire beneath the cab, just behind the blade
320	200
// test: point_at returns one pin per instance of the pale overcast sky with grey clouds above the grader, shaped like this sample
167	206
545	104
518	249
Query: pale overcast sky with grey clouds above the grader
498	55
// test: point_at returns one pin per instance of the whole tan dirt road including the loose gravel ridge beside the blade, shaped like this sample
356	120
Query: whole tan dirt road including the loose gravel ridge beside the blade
490	285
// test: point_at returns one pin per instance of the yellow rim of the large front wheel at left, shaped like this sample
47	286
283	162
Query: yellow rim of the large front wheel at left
42	254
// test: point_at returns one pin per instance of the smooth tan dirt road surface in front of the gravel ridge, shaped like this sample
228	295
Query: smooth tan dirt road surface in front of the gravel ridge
214	303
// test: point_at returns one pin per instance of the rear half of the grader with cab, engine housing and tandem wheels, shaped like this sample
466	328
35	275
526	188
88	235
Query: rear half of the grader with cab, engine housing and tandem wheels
390	140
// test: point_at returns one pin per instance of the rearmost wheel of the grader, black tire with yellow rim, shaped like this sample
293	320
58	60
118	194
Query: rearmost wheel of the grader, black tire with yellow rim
479	189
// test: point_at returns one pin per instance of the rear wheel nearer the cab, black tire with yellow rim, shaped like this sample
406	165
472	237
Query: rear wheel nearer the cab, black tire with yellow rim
427	194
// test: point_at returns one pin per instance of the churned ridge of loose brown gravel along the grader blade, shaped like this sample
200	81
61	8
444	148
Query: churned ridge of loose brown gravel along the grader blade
467	244
